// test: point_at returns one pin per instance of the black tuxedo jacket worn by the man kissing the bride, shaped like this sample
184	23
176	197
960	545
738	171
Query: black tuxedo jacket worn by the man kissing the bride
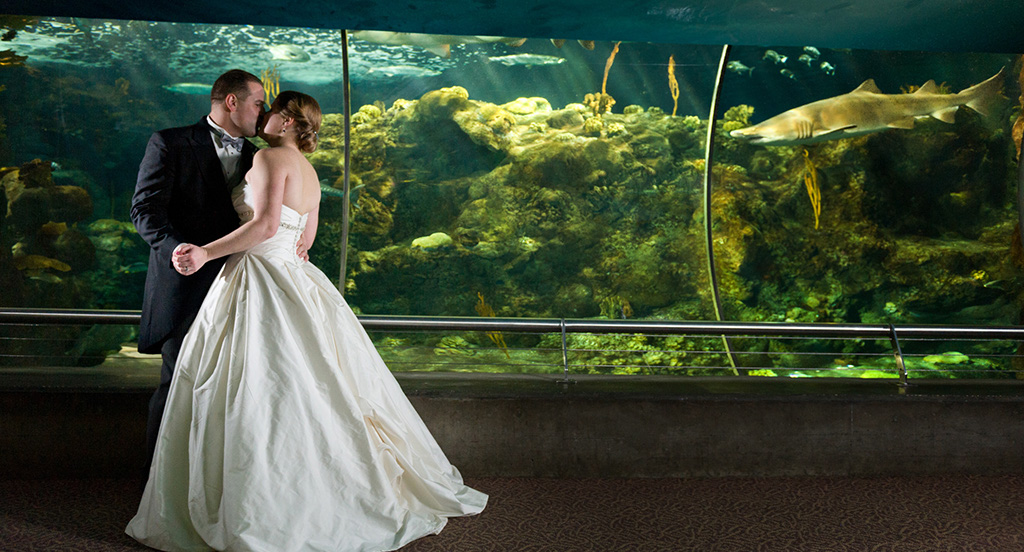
181	197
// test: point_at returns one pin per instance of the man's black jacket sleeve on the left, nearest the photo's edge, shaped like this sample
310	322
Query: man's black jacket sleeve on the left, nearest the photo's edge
153	197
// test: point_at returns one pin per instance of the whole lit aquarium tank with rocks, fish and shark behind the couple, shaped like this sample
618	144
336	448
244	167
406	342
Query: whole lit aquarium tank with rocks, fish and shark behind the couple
525	178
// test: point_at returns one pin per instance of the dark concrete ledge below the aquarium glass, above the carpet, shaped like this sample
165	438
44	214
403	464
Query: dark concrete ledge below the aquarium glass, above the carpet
538	427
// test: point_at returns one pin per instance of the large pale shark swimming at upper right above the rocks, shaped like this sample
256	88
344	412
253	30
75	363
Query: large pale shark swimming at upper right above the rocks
867	110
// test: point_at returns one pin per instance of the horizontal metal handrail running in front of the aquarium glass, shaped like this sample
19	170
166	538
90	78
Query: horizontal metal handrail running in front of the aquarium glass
579	326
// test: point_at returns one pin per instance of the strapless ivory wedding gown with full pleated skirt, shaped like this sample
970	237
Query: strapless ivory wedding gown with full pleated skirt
284	430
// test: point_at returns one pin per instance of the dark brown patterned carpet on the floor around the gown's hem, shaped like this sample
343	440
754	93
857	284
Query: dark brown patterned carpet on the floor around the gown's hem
985	515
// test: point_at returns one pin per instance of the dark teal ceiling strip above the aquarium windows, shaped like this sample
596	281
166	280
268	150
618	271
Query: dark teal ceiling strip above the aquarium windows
978	26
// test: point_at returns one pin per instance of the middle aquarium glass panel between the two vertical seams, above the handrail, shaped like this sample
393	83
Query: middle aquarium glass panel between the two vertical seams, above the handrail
531	179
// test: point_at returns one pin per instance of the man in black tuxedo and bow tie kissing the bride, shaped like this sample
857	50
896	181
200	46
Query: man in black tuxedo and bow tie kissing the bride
183	196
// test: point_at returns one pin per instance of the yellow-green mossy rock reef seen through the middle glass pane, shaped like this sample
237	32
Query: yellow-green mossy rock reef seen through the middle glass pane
530	196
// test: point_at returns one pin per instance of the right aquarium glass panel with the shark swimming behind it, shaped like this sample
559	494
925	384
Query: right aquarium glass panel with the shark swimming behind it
871	187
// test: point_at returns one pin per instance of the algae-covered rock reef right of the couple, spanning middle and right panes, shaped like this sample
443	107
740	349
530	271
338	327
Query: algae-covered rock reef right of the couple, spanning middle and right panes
560	213
